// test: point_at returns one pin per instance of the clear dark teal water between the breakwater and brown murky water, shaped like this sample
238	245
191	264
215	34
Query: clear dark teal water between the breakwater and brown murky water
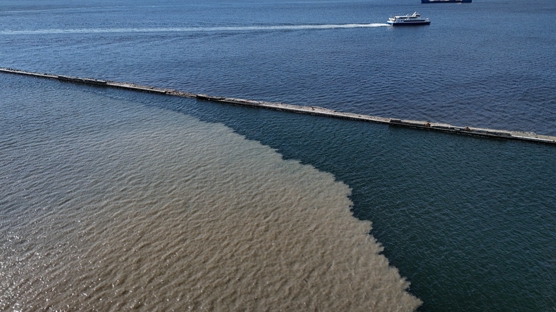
470	222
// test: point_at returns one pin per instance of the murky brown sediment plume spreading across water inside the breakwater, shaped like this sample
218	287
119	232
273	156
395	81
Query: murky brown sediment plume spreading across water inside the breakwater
108	204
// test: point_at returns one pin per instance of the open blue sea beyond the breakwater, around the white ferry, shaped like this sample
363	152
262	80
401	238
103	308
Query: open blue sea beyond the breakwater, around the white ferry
487	64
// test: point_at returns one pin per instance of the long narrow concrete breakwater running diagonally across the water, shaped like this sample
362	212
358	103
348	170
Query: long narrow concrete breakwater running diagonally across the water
312	110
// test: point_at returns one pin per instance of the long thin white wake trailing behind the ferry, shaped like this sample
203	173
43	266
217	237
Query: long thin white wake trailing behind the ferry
187	29
